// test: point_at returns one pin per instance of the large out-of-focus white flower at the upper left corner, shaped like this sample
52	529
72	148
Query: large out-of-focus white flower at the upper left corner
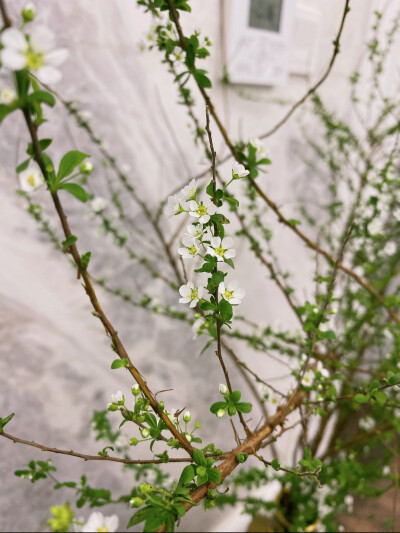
35	54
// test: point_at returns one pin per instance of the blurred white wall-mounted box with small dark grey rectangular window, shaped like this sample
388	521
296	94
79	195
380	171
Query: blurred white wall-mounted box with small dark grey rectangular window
268	39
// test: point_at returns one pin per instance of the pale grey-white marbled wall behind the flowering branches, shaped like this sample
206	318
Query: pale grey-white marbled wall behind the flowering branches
55	358
